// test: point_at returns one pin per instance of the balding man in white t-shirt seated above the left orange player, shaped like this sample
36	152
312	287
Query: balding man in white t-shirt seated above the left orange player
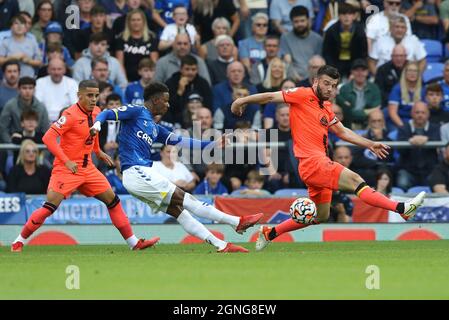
56	90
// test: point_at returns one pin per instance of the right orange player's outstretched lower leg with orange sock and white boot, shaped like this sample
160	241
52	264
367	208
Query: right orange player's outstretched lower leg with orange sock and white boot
350	180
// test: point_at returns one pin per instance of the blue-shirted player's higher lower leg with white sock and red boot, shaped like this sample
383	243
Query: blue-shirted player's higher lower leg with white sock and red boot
207	211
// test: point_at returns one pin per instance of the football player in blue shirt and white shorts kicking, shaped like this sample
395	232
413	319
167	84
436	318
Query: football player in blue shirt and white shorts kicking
138	132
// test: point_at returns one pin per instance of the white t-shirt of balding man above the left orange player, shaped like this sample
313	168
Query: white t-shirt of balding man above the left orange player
56	96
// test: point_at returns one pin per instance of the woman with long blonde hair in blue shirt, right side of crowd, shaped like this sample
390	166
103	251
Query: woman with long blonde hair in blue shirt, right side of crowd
404	94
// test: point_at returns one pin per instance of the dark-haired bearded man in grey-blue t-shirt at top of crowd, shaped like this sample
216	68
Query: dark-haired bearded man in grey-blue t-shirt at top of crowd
300	44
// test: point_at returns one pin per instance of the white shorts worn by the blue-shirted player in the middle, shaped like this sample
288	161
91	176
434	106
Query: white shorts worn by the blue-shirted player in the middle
147	185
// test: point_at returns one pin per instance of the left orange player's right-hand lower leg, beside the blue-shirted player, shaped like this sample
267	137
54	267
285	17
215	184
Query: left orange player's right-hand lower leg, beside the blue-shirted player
121	222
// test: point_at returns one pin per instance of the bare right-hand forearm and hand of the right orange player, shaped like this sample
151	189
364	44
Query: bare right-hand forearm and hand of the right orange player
346	134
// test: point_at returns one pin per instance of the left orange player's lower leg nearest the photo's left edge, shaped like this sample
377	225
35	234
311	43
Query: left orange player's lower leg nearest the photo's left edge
34	222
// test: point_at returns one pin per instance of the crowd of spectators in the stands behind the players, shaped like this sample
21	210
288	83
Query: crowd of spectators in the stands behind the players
395	84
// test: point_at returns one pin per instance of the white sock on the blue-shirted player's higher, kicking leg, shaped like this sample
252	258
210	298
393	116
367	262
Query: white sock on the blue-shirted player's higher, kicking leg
207	211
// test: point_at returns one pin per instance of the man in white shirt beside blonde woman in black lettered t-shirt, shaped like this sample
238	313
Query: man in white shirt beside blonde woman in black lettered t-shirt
180	25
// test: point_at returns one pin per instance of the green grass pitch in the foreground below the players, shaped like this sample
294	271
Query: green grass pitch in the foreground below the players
332	270
